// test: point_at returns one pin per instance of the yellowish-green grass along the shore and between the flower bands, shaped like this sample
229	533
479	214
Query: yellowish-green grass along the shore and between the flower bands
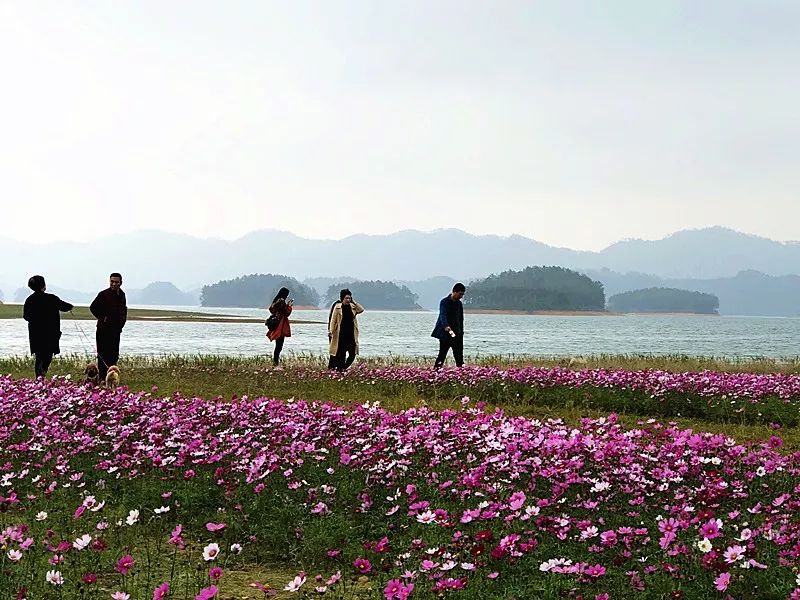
224	377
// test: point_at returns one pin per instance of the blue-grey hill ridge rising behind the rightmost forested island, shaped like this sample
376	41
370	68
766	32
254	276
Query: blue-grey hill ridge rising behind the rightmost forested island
747	293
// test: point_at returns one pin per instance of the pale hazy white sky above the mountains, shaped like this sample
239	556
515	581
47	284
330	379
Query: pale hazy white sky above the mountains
575	123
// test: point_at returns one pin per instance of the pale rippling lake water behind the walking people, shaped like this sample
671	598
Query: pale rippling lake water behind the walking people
408	333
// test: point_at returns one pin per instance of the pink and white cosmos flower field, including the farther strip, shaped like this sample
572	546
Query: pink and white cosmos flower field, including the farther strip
135	495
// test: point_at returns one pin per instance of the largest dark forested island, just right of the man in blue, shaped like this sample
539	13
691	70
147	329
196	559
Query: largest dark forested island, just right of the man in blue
536	289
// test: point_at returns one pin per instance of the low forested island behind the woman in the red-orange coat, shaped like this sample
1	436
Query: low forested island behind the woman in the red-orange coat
256	291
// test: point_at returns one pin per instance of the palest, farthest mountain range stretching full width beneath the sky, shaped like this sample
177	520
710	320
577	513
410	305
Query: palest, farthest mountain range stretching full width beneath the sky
186	261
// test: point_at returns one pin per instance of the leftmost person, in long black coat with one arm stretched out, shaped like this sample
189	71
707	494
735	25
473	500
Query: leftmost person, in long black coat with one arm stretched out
42	312
